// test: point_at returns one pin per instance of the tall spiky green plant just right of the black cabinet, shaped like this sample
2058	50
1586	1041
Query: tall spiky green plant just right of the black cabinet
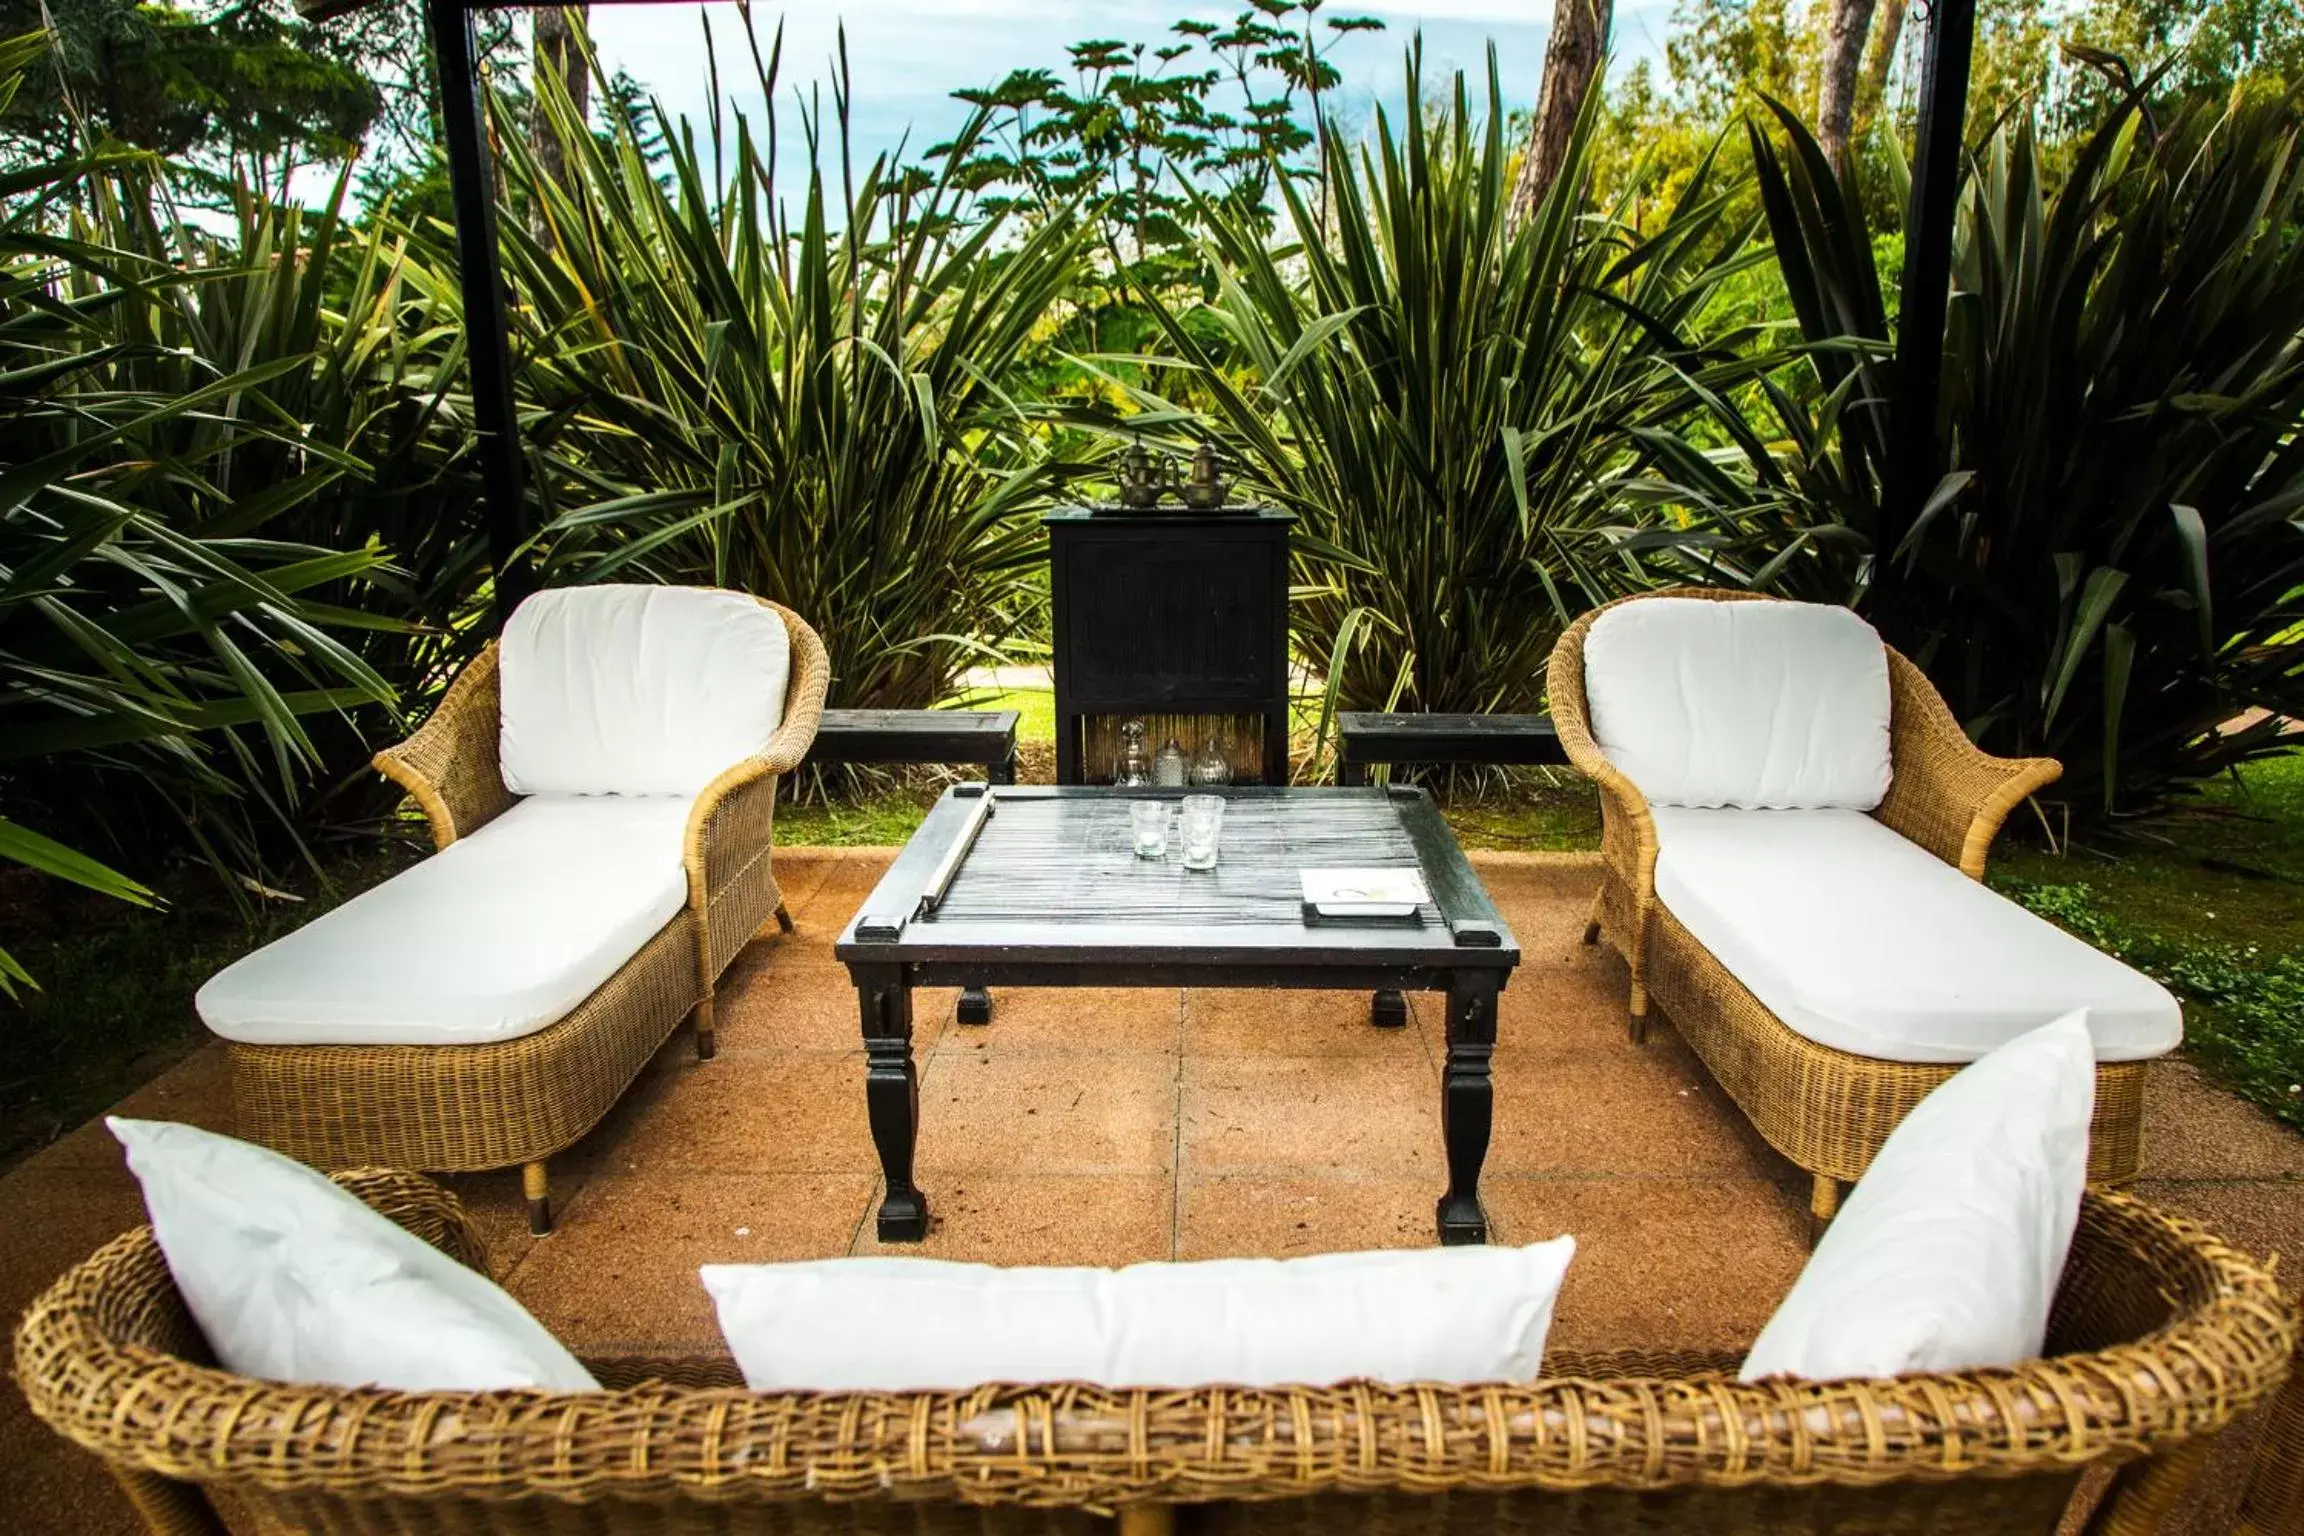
1448	402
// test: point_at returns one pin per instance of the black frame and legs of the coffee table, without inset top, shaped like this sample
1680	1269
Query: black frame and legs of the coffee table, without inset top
897	945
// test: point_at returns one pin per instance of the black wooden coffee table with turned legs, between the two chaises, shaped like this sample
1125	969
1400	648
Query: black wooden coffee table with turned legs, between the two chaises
1043	888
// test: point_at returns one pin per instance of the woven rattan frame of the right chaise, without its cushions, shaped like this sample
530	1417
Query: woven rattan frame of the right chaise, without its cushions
1828	1111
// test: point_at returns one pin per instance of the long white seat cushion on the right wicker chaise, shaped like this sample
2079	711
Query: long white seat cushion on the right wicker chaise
1865	943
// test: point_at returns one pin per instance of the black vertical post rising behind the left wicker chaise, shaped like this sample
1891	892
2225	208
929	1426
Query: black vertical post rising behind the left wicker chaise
485	330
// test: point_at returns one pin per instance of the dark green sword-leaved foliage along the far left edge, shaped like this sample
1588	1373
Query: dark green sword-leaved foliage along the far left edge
188	512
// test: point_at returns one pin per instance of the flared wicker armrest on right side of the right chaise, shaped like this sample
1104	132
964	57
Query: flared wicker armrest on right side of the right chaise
1948	793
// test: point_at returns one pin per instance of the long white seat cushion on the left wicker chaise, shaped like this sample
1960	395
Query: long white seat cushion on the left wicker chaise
492	938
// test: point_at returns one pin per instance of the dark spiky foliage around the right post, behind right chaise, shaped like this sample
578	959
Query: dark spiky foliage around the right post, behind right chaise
2112	570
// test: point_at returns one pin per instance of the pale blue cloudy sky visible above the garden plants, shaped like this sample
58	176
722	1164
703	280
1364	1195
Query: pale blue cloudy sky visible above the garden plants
907	56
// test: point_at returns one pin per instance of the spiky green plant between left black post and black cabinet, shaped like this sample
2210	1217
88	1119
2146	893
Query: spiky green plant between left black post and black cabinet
805	413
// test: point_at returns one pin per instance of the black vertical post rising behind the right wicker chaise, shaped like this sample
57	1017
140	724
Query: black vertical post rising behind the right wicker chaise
1916	462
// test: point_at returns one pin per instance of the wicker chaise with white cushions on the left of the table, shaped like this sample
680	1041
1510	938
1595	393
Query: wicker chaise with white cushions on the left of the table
499	1097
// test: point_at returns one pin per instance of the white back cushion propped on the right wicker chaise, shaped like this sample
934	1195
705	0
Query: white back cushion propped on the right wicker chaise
1754	706
